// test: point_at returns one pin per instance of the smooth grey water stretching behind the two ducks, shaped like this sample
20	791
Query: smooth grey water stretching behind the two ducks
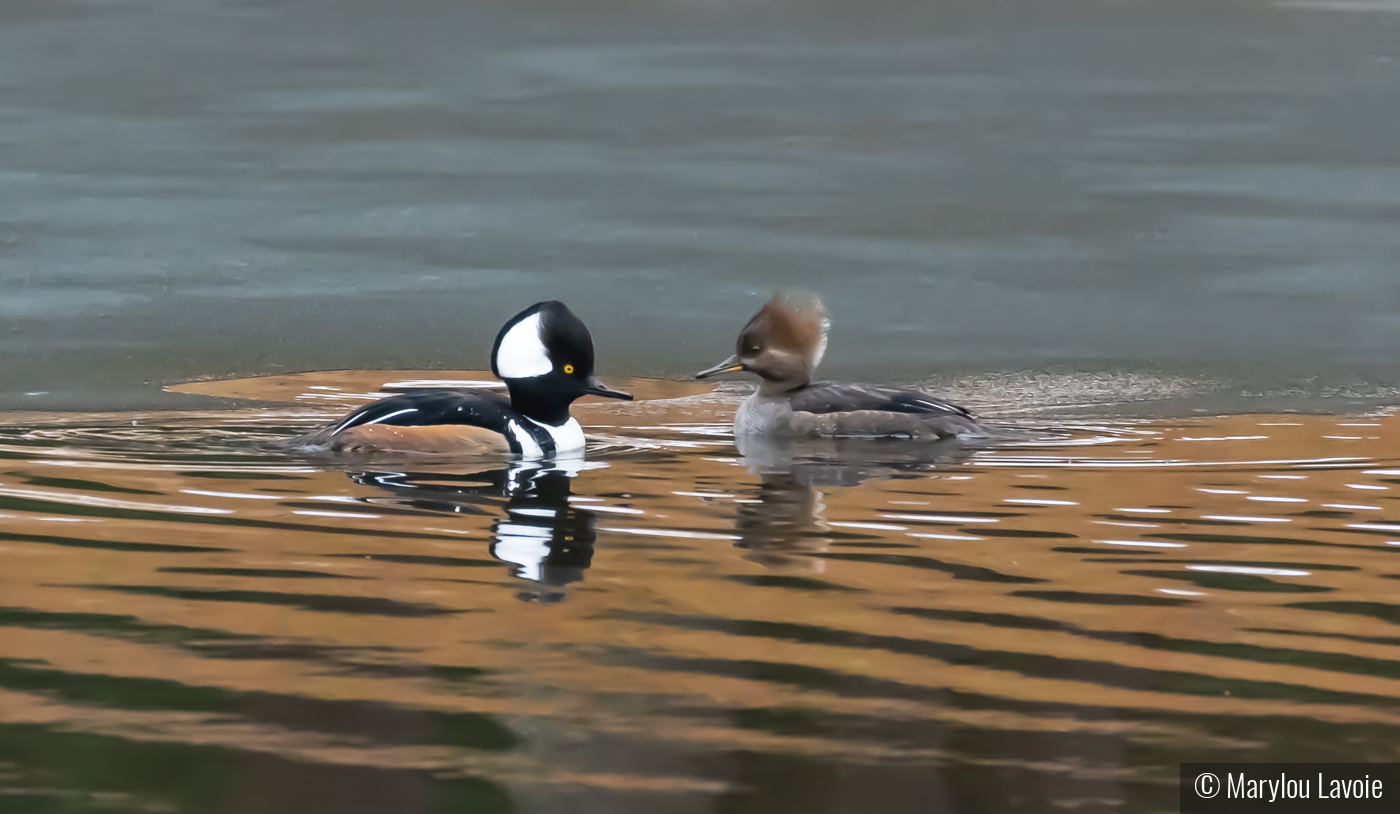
211	188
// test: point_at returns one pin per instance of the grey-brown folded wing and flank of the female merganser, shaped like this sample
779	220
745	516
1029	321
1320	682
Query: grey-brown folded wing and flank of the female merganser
863	410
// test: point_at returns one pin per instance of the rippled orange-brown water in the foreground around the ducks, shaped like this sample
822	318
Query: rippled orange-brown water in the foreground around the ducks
195	621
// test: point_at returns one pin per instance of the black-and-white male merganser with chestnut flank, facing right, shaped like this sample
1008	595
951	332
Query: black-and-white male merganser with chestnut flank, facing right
544	355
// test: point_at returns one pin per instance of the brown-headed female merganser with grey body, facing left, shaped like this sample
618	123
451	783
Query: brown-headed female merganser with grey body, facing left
783	344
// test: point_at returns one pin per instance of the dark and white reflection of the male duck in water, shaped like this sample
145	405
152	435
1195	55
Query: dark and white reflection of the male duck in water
544	537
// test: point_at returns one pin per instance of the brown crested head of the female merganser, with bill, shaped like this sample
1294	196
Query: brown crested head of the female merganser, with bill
783	344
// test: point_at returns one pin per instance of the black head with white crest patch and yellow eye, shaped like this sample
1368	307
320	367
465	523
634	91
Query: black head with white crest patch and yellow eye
545	357
